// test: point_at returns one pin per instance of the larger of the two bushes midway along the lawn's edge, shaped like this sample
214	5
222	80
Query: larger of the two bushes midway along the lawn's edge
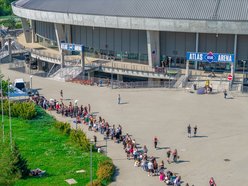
81	139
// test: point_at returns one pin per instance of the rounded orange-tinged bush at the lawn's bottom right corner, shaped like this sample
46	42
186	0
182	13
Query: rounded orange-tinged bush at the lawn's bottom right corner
105	171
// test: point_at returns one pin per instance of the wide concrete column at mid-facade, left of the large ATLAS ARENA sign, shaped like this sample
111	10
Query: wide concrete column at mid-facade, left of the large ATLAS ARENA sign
153	48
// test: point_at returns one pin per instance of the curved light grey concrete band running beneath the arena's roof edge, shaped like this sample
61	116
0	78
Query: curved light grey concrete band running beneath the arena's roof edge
135	23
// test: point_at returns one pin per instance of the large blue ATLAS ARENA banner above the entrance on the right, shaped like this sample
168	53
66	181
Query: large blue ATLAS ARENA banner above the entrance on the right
209	57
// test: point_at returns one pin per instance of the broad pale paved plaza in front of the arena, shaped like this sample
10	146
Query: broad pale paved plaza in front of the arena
145	113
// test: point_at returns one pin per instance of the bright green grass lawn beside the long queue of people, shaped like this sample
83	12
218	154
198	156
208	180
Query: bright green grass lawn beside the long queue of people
46	148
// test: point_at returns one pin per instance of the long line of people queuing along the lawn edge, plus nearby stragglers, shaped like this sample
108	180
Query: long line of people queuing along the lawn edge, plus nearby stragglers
140	156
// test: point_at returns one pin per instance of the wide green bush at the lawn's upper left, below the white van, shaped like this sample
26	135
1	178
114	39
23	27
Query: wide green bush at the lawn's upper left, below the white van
24	110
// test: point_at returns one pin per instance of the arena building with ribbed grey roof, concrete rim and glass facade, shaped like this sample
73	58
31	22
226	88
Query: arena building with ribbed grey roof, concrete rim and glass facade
142	31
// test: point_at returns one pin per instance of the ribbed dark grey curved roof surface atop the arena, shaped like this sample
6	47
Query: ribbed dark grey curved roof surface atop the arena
223	10
